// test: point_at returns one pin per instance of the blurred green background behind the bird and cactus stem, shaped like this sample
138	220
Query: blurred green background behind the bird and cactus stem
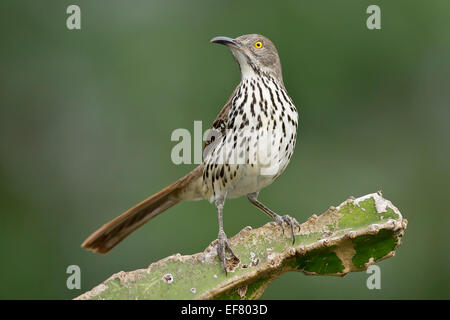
86	118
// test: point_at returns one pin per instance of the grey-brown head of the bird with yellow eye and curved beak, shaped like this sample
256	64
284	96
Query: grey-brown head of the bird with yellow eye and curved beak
255	54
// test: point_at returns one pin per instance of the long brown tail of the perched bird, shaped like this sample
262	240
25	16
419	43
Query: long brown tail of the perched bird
110	234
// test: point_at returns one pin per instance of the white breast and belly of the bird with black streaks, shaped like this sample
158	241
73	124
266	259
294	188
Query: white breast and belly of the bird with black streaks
258	145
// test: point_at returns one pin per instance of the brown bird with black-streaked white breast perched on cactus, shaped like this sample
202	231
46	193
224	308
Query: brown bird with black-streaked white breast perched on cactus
248	147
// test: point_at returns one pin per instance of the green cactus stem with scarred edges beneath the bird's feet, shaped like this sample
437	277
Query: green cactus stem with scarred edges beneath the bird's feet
350	237
